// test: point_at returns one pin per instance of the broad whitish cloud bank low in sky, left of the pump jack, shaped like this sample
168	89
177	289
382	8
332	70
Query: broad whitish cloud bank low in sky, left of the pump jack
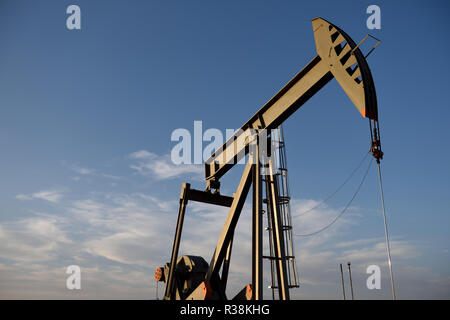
117	240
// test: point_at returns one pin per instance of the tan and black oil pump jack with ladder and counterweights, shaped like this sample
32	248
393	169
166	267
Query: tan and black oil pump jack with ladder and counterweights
191	277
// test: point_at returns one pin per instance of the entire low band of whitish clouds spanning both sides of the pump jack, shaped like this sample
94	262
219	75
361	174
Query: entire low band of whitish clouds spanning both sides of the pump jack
121	238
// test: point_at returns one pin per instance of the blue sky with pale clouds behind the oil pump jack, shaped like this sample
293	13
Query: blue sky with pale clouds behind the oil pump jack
86	116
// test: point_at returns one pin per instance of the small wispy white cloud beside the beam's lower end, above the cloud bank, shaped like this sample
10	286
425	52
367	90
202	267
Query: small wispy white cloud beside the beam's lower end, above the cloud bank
161	167
